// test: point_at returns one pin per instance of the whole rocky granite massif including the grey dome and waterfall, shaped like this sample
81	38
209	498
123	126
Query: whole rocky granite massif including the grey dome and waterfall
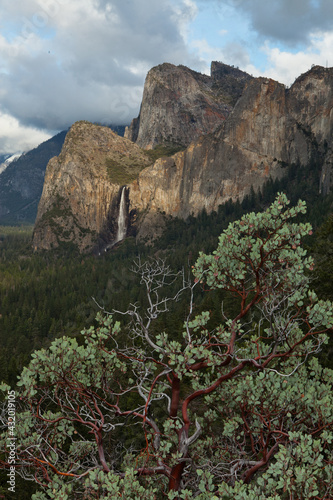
99	176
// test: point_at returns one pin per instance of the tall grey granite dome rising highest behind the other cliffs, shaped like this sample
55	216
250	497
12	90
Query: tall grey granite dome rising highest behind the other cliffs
179	105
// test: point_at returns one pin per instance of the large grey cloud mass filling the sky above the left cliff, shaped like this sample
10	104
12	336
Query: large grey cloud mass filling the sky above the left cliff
85	59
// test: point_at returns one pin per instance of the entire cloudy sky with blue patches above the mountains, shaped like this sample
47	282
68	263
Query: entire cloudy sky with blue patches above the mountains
67	60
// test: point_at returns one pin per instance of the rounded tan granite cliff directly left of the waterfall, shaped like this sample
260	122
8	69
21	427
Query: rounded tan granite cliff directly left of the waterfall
82	185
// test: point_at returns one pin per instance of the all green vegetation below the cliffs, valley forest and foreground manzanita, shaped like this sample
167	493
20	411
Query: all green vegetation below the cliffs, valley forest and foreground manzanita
203	368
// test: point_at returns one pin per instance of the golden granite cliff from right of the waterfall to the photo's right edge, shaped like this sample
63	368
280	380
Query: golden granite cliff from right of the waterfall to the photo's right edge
268	129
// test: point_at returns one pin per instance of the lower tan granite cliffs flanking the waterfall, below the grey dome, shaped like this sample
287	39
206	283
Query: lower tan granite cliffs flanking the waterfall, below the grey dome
268	128
